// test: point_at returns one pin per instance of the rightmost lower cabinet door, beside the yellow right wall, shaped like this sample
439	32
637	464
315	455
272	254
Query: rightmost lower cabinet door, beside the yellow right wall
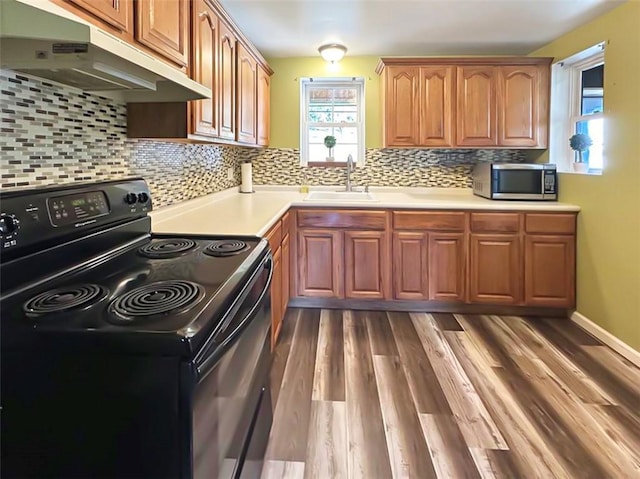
549	265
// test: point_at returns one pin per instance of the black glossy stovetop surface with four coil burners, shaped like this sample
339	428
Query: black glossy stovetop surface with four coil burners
162	286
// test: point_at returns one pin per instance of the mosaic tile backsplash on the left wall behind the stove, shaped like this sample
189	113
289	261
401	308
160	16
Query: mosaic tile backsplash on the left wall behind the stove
53	134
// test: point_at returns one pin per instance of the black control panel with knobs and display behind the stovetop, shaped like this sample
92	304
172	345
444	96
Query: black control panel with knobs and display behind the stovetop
49	214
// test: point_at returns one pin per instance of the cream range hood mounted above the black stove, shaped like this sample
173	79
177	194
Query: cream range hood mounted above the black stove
42	39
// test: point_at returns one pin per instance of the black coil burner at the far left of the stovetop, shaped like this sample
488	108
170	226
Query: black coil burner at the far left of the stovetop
65	299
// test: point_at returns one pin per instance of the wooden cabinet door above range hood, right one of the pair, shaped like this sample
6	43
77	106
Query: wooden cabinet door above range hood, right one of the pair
163	26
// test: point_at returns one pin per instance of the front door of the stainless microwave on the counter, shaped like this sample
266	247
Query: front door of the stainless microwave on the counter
518	182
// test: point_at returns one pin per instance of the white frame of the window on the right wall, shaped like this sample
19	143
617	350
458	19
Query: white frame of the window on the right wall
569	97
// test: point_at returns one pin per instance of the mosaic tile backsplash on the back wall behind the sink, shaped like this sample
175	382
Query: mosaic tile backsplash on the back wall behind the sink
383	167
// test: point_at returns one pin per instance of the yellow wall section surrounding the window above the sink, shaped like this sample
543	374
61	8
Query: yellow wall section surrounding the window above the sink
285	95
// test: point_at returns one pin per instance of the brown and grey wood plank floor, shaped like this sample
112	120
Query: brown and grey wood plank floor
413	395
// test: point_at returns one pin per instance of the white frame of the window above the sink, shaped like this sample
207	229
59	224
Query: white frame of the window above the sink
332	82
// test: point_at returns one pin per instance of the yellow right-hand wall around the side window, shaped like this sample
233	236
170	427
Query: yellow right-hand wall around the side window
608	272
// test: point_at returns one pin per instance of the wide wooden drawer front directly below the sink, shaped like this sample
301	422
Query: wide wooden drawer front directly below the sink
361	219
